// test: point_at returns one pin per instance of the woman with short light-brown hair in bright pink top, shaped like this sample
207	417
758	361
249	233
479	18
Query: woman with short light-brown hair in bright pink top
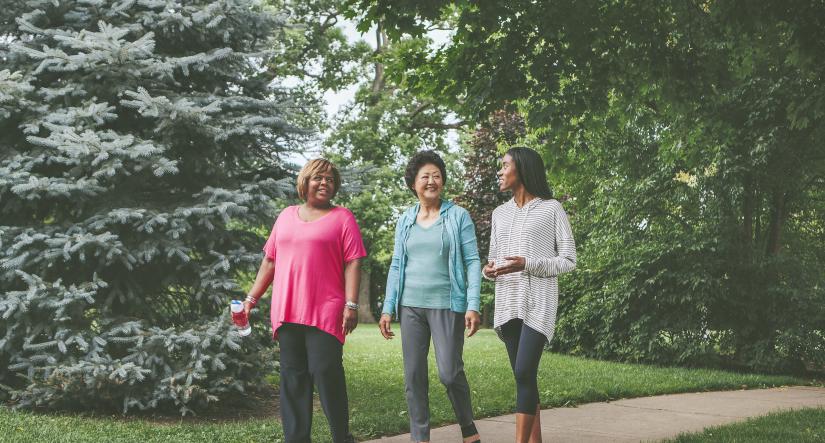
312	260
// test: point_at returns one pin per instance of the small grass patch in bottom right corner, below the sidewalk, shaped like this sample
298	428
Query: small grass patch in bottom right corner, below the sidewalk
804	425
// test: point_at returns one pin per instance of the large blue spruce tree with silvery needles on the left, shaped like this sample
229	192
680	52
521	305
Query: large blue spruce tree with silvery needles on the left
139	139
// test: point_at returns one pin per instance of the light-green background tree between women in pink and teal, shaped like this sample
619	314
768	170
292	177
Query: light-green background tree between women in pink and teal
376	135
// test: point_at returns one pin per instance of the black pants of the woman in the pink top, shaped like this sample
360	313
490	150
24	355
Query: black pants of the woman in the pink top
310	356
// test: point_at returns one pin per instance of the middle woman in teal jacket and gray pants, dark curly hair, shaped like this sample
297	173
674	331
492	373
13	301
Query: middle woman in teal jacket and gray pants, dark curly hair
433	289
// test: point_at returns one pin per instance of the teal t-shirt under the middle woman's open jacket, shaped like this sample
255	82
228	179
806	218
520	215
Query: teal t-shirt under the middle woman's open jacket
427	278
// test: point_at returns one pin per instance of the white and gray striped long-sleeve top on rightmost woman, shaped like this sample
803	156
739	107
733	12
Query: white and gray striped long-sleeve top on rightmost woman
540	232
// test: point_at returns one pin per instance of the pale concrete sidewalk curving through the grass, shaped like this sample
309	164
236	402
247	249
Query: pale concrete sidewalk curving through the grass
641	419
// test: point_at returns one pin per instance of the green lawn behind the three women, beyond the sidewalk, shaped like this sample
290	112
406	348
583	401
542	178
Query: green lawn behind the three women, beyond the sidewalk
376	394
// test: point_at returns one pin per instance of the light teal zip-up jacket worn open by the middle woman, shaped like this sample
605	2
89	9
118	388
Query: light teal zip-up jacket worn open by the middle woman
465	265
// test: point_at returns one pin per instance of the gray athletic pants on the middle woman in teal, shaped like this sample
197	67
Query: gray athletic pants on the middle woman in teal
447	331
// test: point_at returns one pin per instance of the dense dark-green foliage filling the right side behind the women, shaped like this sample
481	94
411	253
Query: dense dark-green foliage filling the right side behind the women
688	136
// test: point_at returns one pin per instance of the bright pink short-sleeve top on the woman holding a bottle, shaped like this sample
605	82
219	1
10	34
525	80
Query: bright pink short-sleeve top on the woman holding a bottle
308	286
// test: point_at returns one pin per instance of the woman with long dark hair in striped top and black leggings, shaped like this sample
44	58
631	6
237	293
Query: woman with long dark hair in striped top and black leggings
531	243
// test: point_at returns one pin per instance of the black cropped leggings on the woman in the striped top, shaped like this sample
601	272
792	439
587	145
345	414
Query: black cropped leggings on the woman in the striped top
524	347
